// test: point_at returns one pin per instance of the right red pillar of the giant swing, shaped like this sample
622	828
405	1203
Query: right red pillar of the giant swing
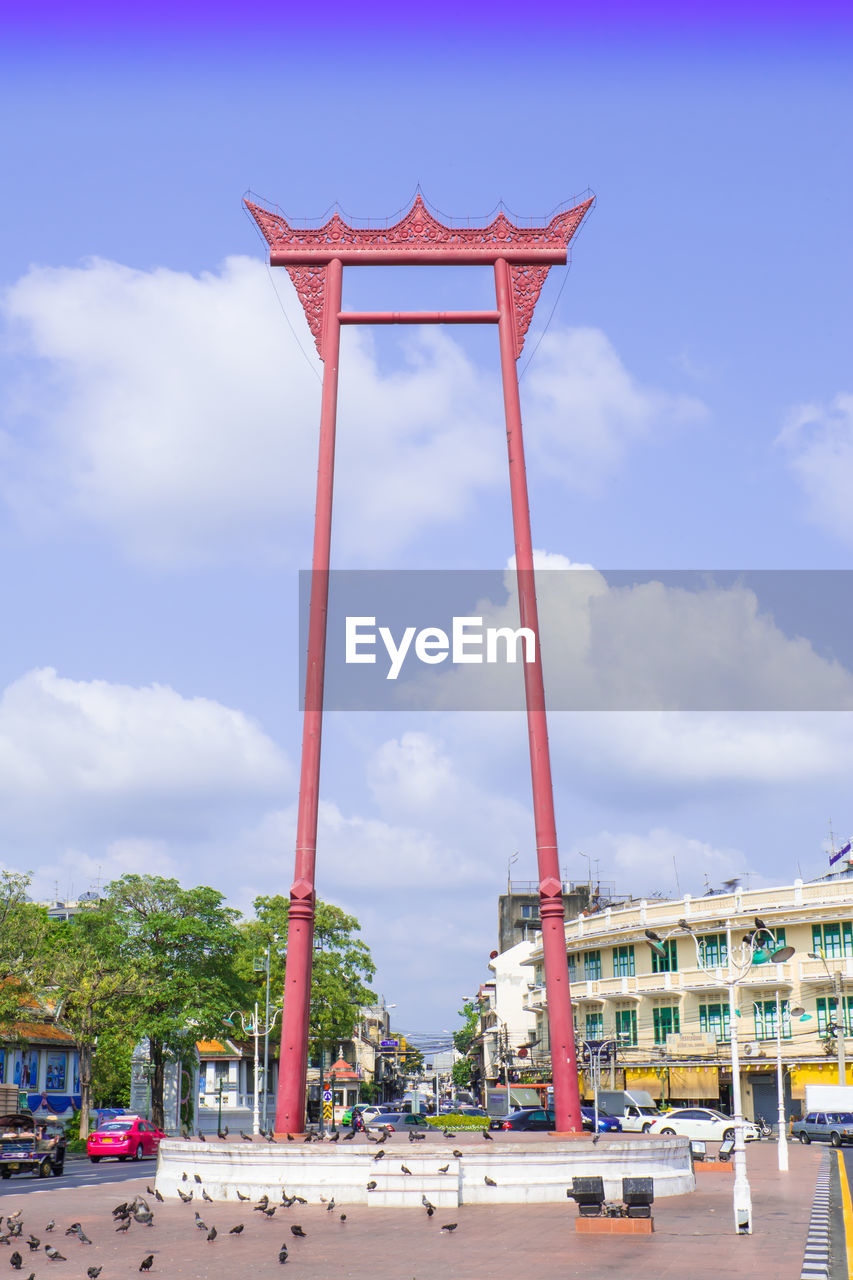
554	936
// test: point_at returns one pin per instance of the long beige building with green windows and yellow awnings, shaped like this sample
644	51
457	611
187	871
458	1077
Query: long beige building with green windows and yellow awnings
669	1014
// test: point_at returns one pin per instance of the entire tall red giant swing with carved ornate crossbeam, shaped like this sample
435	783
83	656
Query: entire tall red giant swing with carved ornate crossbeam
522	258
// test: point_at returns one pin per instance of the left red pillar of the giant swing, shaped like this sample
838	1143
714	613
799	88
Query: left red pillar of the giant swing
290	1107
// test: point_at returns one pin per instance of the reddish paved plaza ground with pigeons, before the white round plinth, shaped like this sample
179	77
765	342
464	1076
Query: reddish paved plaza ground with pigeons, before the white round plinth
694	1236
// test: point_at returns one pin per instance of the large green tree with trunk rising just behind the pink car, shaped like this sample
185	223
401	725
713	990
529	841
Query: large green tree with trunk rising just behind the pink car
184	943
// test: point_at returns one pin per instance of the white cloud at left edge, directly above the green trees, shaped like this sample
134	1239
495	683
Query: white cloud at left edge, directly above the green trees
121	764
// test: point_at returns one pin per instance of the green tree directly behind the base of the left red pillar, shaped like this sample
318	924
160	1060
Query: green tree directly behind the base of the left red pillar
341	967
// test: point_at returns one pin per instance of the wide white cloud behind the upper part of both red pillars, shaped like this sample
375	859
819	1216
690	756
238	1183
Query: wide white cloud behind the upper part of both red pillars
179	415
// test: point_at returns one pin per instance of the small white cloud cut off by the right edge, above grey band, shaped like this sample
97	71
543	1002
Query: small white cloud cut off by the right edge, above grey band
819	442
